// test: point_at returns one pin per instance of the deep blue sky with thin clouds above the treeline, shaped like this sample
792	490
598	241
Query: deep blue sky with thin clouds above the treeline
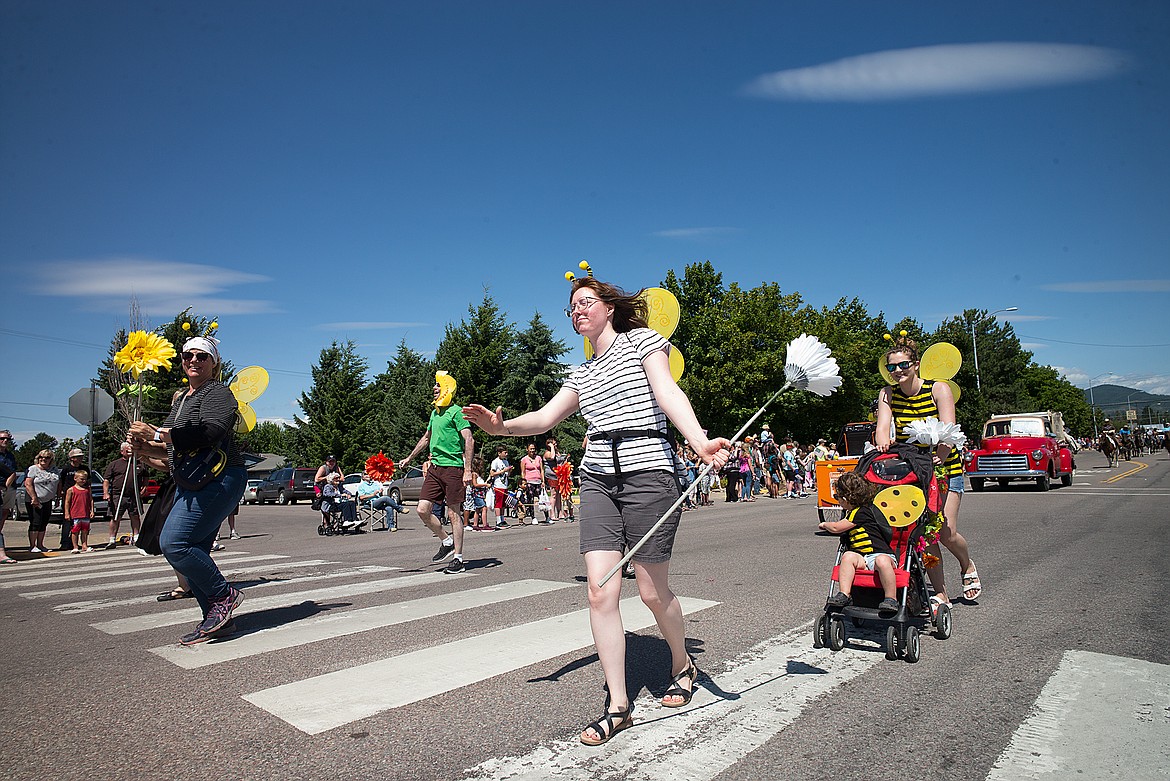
309	172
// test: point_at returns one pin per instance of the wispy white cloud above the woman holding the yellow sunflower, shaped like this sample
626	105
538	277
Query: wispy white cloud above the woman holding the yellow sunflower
162	288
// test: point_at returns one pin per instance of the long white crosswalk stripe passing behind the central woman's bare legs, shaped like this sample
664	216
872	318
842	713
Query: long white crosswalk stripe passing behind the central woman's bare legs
334	700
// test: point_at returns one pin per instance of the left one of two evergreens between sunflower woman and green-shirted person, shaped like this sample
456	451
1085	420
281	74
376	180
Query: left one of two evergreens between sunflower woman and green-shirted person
335	411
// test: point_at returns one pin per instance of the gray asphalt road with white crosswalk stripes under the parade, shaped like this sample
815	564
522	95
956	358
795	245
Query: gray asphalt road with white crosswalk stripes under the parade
396	674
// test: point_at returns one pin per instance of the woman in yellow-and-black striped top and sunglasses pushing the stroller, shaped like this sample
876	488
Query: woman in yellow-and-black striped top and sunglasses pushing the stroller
914	399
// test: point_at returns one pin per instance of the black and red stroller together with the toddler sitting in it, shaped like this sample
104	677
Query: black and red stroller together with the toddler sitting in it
883	593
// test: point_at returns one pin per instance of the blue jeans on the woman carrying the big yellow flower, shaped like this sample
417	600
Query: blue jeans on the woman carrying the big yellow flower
190	531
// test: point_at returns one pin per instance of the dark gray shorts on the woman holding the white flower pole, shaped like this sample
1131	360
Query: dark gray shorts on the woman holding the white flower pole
617	513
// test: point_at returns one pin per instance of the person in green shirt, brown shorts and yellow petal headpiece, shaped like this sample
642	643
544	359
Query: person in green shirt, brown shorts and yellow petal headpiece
451	445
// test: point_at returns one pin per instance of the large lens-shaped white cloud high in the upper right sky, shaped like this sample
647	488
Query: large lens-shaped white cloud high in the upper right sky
941	71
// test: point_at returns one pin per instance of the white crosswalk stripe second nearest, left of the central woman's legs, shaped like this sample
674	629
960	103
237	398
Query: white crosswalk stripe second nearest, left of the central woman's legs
329	627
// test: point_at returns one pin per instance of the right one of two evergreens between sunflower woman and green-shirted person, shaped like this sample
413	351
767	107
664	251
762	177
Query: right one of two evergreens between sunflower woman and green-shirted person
402	404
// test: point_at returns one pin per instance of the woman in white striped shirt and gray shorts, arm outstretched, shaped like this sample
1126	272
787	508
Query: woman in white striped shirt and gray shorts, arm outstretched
627	395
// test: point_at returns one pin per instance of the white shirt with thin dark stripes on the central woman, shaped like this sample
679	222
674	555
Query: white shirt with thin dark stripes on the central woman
615	396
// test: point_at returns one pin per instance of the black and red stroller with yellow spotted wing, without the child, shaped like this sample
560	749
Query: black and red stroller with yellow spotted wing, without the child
911	493
